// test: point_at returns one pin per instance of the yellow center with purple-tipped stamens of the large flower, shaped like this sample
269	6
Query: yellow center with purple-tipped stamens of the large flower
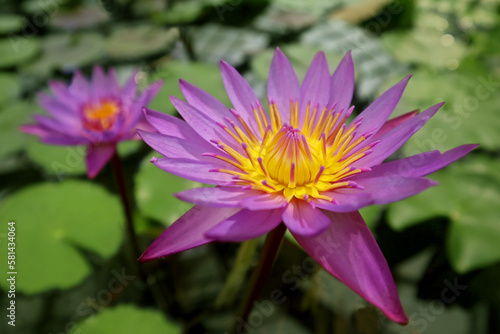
304	162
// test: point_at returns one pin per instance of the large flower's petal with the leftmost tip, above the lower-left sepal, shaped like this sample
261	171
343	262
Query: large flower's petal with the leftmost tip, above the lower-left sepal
173	147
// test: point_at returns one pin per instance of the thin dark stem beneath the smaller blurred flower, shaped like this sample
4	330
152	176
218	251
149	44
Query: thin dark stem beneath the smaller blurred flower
122	189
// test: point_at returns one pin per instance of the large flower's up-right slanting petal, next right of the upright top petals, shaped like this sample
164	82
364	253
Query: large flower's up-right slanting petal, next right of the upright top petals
377	113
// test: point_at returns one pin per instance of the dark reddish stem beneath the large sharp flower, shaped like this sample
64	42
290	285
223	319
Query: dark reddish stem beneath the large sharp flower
263	269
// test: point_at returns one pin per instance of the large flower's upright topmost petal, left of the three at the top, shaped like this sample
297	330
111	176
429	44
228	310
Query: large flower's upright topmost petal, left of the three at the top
282	84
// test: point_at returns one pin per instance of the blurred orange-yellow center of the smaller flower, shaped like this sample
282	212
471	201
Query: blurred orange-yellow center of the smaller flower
100	116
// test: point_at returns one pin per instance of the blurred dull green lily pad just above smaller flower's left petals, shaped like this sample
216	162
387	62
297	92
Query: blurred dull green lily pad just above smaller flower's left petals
67	52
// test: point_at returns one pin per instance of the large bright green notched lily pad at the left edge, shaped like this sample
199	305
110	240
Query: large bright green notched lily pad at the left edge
53	221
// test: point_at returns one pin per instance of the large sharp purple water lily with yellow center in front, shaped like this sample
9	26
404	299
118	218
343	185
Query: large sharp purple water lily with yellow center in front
300	163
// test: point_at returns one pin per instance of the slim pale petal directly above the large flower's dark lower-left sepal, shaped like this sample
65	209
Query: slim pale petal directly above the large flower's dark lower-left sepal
218	196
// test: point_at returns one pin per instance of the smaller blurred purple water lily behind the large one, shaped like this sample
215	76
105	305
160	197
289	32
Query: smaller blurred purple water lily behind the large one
96	113
